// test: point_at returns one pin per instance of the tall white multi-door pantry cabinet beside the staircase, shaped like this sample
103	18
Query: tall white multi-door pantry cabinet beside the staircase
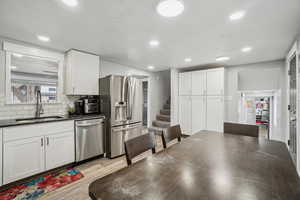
201	95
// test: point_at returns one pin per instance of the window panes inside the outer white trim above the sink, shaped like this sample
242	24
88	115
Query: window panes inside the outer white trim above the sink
29	74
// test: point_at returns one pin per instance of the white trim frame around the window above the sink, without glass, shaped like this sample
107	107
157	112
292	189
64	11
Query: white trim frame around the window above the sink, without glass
11	48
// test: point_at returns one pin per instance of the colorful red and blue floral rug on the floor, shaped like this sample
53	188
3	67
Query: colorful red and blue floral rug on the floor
40	186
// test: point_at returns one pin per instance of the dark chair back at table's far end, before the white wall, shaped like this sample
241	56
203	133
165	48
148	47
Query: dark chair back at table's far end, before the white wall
241	129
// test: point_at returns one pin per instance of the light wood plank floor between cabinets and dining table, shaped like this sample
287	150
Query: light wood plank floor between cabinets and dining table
93	170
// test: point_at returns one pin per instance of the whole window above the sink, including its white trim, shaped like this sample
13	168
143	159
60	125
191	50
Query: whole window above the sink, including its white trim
29	70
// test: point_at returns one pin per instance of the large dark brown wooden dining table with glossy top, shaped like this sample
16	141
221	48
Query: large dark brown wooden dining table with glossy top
207	166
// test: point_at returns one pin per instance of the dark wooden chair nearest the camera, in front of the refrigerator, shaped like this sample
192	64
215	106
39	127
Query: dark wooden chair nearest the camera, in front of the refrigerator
139	145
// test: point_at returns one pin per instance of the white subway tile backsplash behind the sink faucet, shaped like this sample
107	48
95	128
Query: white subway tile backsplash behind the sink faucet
10	111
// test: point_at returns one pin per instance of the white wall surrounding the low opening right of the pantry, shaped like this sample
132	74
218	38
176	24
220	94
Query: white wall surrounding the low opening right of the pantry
258	76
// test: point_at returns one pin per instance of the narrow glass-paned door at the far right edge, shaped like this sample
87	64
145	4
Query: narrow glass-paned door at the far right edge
293	107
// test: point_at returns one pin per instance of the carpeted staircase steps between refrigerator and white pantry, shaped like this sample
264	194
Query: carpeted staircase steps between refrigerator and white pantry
163	119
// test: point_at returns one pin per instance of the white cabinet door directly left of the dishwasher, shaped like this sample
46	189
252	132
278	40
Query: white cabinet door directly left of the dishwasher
60	150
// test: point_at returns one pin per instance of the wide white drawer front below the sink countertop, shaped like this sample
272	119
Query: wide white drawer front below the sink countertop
36	130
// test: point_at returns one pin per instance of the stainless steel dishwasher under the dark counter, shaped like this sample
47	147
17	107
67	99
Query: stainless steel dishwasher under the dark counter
89	138
